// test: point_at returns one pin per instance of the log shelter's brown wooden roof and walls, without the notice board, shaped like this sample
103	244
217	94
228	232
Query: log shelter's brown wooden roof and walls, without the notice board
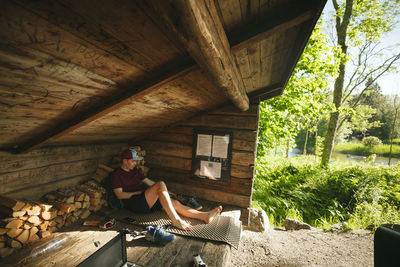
81	80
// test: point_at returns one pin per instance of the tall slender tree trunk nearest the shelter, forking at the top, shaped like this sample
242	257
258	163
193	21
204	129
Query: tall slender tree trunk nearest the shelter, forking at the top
341	30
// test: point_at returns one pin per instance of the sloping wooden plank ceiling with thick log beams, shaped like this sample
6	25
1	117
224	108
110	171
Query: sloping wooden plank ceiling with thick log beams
80	71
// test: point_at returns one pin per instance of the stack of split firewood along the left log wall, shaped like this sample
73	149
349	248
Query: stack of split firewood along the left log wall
27	221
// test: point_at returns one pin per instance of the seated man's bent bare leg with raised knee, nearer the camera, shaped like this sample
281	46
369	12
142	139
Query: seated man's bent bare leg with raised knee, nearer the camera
159	191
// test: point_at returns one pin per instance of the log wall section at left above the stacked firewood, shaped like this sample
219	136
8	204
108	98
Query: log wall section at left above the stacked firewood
33	174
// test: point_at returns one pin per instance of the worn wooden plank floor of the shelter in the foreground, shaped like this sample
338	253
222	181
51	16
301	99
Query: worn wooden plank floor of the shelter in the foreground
80	243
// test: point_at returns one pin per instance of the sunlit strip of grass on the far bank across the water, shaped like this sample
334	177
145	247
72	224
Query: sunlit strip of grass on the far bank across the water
360	149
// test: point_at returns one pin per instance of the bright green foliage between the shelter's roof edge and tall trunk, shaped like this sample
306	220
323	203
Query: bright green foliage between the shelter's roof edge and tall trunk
302	102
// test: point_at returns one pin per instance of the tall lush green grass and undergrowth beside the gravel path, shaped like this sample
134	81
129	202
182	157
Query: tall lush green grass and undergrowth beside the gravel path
299	188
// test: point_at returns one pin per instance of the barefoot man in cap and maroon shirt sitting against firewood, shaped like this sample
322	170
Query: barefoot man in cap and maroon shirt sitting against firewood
127	184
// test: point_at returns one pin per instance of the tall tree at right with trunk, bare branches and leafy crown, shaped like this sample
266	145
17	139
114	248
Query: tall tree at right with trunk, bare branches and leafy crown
359	25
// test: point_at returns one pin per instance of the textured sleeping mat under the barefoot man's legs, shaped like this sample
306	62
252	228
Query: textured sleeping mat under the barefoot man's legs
222	228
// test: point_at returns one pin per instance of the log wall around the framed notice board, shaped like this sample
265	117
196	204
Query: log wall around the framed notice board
169	157
